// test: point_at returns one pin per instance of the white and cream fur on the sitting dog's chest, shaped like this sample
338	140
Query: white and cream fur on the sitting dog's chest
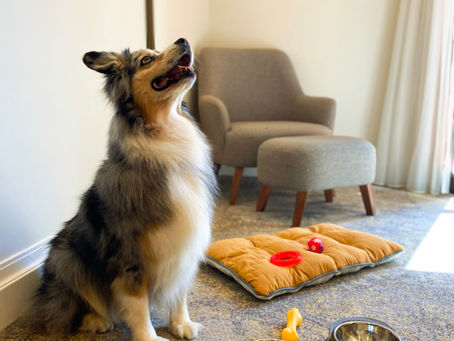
179	246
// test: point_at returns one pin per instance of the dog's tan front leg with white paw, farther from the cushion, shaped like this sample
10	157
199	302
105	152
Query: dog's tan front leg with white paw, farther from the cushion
134	310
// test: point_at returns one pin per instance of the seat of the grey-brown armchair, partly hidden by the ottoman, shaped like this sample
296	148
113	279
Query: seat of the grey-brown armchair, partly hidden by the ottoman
244	138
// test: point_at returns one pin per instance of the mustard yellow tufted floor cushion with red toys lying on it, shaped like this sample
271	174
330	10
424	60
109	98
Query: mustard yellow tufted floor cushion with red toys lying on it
247	260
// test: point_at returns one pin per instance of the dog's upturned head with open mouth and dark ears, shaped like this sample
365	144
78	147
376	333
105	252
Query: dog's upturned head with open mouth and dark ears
149	81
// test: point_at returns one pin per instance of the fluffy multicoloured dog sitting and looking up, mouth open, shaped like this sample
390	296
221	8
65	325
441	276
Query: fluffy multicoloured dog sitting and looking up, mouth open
143	226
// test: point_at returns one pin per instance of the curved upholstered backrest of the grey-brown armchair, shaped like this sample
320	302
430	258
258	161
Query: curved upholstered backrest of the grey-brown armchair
254	84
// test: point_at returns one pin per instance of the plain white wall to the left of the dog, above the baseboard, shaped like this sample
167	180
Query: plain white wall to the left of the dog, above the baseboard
53	118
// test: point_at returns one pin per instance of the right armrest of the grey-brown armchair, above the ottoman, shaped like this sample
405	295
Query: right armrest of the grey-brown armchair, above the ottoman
321	110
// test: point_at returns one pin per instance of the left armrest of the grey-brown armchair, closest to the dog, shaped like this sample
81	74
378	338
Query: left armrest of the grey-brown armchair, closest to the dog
215	121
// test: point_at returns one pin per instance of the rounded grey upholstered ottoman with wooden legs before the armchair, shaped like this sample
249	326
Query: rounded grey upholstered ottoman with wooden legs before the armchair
309	163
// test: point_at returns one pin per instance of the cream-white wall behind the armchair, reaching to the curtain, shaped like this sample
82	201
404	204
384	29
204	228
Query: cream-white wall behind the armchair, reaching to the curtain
340	49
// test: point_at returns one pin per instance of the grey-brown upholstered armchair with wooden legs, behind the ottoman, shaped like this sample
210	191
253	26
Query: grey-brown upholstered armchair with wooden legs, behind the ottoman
247	96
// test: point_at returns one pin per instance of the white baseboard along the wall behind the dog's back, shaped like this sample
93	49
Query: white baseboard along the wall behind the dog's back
19	277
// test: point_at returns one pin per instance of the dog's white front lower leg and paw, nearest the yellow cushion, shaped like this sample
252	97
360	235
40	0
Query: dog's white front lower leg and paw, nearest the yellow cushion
180	323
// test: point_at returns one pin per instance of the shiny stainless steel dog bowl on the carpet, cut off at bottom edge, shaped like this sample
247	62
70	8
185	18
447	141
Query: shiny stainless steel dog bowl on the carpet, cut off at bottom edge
362	329
